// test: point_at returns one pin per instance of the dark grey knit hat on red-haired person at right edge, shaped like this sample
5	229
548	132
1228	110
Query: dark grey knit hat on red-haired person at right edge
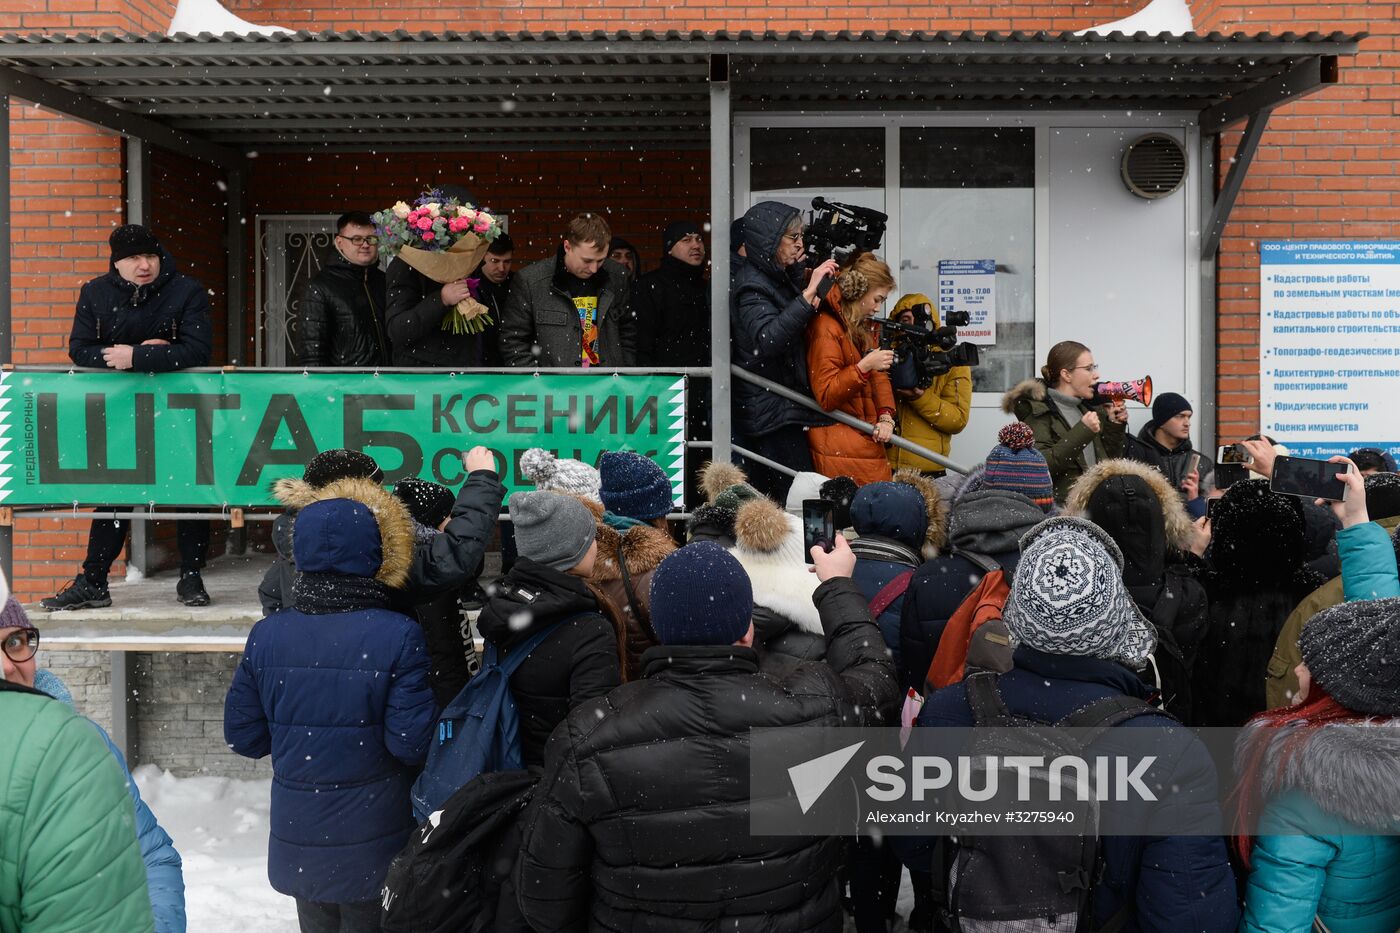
1353	652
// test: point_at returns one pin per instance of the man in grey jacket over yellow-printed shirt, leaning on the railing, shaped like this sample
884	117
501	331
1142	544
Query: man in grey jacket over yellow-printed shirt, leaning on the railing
572	310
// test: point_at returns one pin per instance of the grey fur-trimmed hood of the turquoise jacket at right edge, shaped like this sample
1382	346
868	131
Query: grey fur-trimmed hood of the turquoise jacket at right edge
1350	771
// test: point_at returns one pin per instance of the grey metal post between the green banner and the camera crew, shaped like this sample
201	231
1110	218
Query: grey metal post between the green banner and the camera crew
722	201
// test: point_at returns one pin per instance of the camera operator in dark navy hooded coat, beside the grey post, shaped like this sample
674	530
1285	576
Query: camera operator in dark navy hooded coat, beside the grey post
771	307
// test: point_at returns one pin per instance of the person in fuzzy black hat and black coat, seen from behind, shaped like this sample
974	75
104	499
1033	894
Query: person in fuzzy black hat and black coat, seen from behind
1255	581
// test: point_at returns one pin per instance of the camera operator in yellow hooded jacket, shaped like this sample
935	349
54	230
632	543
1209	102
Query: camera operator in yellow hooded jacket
934	408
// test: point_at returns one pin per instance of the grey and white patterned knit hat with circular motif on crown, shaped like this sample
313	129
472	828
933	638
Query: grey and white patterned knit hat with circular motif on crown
1069	596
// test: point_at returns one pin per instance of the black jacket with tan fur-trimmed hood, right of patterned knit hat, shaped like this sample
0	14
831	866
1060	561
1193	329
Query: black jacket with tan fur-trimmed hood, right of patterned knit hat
1147	519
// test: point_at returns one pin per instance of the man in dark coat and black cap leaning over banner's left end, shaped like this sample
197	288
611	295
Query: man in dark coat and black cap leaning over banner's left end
143	316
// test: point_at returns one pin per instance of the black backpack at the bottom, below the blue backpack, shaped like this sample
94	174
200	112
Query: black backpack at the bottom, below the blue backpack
450	875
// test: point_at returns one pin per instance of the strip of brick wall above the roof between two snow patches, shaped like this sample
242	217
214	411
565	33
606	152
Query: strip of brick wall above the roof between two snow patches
682	15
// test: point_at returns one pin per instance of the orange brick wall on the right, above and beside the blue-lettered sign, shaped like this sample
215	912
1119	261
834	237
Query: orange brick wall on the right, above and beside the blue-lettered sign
1325	172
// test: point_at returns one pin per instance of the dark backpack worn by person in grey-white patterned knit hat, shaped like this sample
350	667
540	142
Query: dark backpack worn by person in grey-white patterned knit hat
1041	883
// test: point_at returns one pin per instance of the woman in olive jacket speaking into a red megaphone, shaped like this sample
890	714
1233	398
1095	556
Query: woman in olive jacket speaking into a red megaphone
1072	434
